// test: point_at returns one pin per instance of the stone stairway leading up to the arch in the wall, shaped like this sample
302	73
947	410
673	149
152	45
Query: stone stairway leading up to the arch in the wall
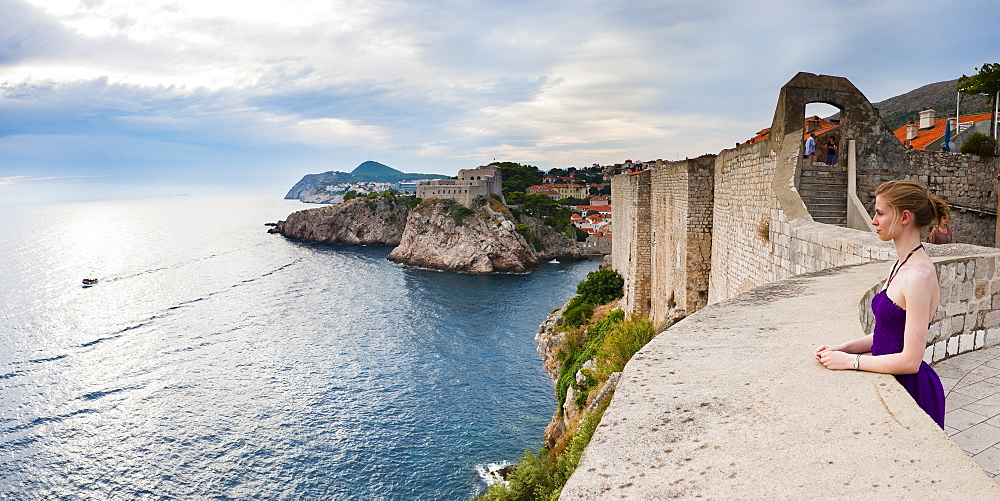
823	189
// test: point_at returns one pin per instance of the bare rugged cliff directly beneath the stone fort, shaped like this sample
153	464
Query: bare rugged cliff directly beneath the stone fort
444	235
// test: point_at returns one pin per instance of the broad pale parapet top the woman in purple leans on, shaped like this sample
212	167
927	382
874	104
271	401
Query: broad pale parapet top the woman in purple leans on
729	403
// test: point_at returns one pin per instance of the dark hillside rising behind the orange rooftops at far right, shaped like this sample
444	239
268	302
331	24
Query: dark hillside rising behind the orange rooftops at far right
940	97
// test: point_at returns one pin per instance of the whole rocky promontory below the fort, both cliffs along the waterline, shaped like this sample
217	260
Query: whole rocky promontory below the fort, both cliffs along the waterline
436	234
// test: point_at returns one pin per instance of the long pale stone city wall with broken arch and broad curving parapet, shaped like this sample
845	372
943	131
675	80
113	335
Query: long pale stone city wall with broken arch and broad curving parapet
728	403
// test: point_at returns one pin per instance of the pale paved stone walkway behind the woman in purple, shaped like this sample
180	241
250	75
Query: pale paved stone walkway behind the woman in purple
972	419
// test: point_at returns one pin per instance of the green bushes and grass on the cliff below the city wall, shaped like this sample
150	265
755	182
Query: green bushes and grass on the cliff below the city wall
589	356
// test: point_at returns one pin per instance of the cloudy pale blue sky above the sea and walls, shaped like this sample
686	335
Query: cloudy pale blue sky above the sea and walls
131	98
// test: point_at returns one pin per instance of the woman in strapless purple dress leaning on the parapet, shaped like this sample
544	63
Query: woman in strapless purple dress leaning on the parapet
906	304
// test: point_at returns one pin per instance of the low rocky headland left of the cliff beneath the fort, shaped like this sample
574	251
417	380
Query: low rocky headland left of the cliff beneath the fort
359	221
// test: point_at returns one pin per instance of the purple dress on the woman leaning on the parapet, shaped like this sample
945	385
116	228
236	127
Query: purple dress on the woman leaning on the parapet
924	386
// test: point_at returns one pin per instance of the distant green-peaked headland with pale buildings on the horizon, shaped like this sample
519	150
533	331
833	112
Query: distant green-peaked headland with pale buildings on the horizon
369	177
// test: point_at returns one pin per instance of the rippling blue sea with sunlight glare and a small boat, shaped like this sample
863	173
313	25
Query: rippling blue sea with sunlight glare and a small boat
216	361
